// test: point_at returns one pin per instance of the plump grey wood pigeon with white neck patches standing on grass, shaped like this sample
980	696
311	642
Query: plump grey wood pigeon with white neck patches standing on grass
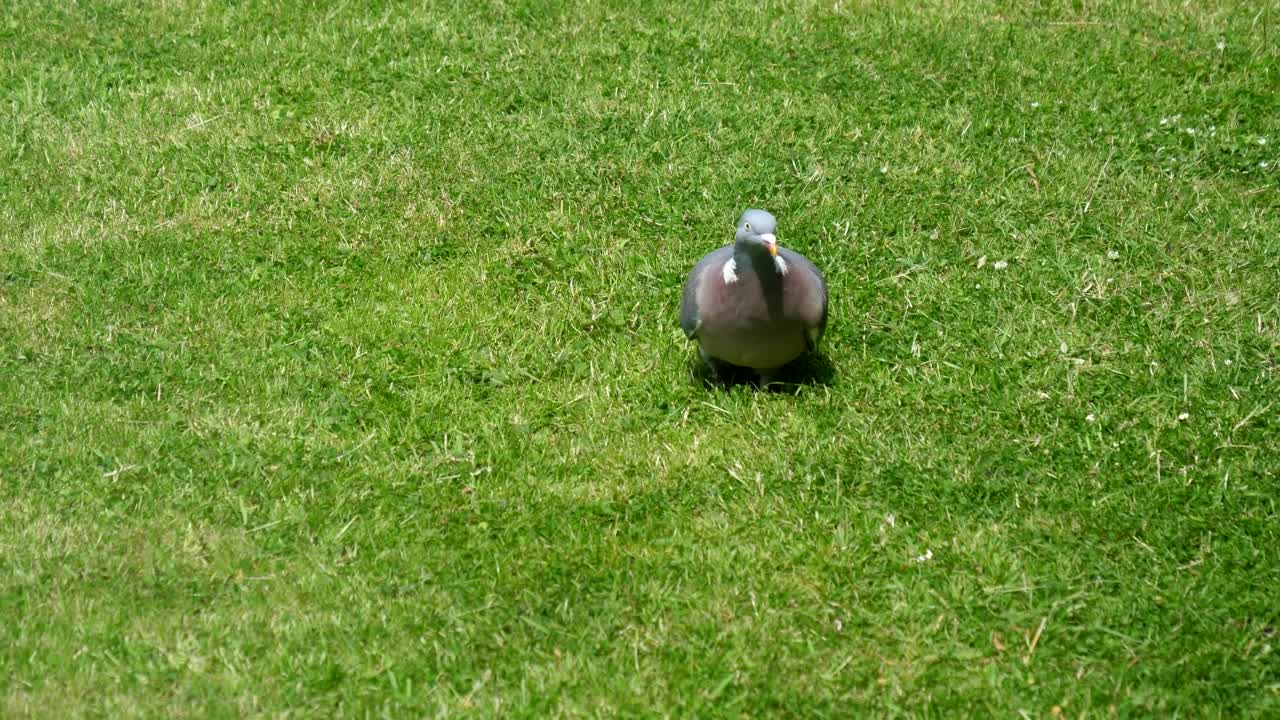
755	304
